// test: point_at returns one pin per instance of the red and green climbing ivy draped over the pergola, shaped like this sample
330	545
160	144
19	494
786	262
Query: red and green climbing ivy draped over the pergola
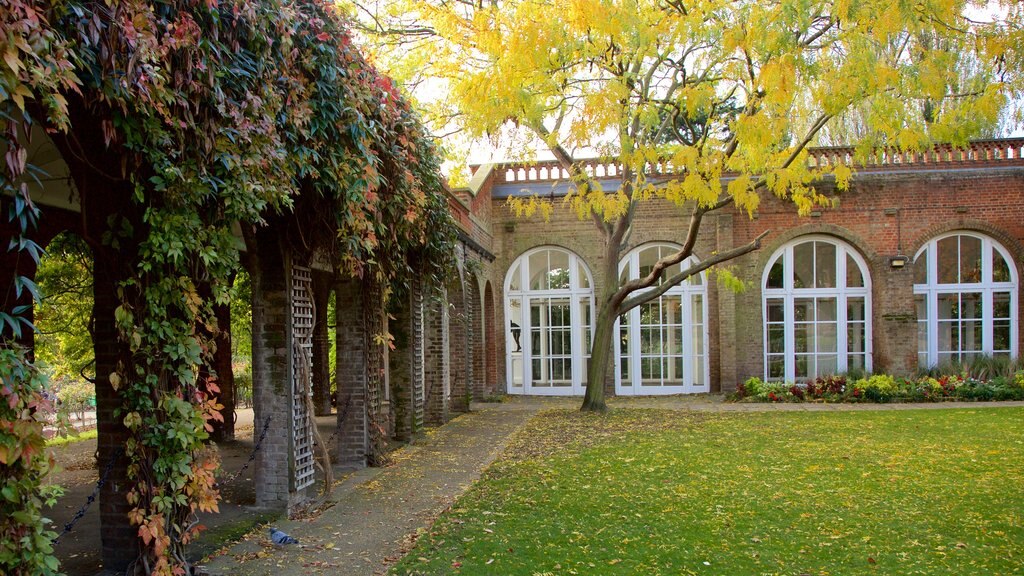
221	112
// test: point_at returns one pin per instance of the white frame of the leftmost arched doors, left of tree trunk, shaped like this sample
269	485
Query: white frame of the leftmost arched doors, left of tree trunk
576	294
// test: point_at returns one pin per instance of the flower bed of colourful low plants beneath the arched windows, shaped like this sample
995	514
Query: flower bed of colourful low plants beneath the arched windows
883	388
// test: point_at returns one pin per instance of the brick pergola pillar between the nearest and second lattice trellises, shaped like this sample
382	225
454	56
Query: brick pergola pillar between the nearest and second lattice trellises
352	374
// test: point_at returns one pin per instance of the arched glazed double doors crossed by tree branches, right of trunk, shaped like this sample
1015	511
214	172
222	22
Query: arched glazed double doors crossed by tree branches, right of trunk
663	345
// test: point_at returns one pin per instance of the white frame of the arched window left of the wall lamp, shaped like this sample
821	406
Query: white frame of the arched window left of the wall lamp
841	293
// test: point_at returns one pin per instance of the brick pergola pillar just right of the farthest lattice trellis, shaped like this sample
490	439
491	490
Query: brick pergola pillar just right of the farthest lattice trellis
436	372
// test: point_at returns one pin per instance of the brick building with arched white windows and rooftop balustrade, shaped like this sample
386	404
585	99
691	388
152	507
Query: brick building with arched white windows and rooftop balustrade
918	264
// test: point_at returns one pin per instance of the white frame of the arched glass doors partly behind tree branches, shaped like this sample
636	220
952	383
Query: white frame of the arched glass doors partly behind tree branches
686	292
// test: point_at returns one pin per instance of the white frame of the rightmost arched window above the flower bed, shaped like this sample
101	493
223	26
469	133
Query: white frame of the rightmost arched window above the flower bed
933	290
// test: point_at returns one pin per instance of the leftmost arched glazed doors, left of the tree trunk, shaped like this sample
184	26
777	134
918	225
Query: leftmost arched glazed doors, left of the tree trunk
549	307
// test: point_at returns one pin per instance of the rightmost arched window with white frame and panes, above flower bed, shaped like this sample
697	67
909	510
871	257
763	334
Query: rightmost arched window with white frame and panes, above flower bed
965	286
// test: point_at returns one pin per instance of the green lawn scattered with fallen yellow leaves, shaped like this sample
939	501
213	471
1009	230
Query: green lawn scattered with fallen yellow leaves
657	492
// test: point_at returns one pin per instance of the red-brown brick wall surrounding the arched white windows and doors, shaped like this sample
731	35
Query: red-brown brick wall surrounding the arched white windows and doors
883	214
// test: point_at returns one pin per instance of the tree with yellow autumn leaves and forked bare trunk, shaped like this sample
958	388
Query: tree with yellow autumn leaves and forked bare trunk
699	90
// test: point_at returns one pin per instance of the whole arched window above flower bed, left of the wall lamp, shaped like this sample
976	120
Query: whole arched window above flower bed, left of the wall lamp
818	310
